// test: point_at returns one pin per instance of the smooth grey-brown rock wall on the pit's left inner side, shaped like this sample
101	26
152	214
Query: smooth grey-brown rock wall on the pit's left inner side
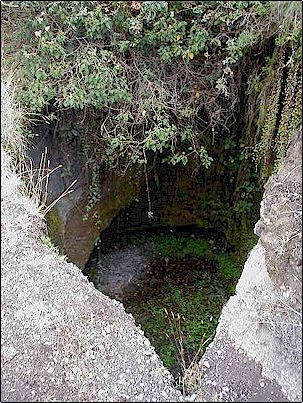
75	235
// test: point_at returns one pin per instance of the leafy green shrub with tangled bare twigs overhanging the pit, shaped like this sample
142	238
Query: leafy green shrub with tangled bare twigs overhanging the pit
144	77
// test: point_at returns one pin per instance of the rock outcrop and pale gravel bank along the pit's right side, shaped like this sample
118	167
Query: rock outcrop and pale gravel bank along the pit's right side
260	329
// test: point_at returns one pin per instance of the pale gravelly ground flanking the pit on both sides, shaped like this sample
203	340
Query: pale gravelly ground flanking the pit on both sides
255	356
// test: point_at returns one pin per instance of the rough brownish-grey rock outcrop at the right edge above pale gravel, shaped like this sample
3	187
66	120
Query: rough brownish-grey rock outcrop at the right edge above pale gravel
280	225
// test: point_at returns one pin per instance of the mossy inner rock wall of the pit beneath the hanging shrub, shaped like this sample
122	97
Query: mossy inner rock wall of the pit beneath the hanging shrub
177	197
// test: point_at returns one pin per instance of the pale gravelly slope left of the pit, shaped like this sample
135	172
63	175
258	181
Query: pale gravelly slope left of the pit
62	340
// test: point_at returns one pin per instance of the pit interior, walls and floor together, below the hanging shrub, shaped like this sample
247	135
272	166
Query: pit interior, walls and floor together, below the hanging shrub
174	269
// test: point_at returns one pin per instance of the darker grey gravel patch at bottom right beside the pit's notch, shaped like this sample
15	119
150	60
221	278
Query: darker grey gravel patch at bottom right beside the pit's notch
232	376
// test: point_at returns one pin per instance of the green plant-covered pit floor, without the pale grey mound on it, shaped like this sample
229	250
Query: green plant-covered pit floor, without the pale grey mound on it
179	297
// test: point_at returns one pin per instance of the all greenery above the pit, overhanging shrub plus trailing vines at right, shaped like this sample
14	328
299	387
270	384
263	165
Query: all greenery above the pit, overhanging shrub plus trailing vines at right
204	82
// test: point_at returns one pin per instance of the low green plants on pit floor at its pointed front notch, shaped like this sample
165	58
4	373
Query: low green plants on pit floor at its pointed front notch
177	319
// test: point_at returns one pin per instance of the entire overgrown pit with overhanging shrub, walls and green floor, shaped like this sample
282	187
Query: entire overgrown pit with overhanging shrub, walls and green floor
196	106
